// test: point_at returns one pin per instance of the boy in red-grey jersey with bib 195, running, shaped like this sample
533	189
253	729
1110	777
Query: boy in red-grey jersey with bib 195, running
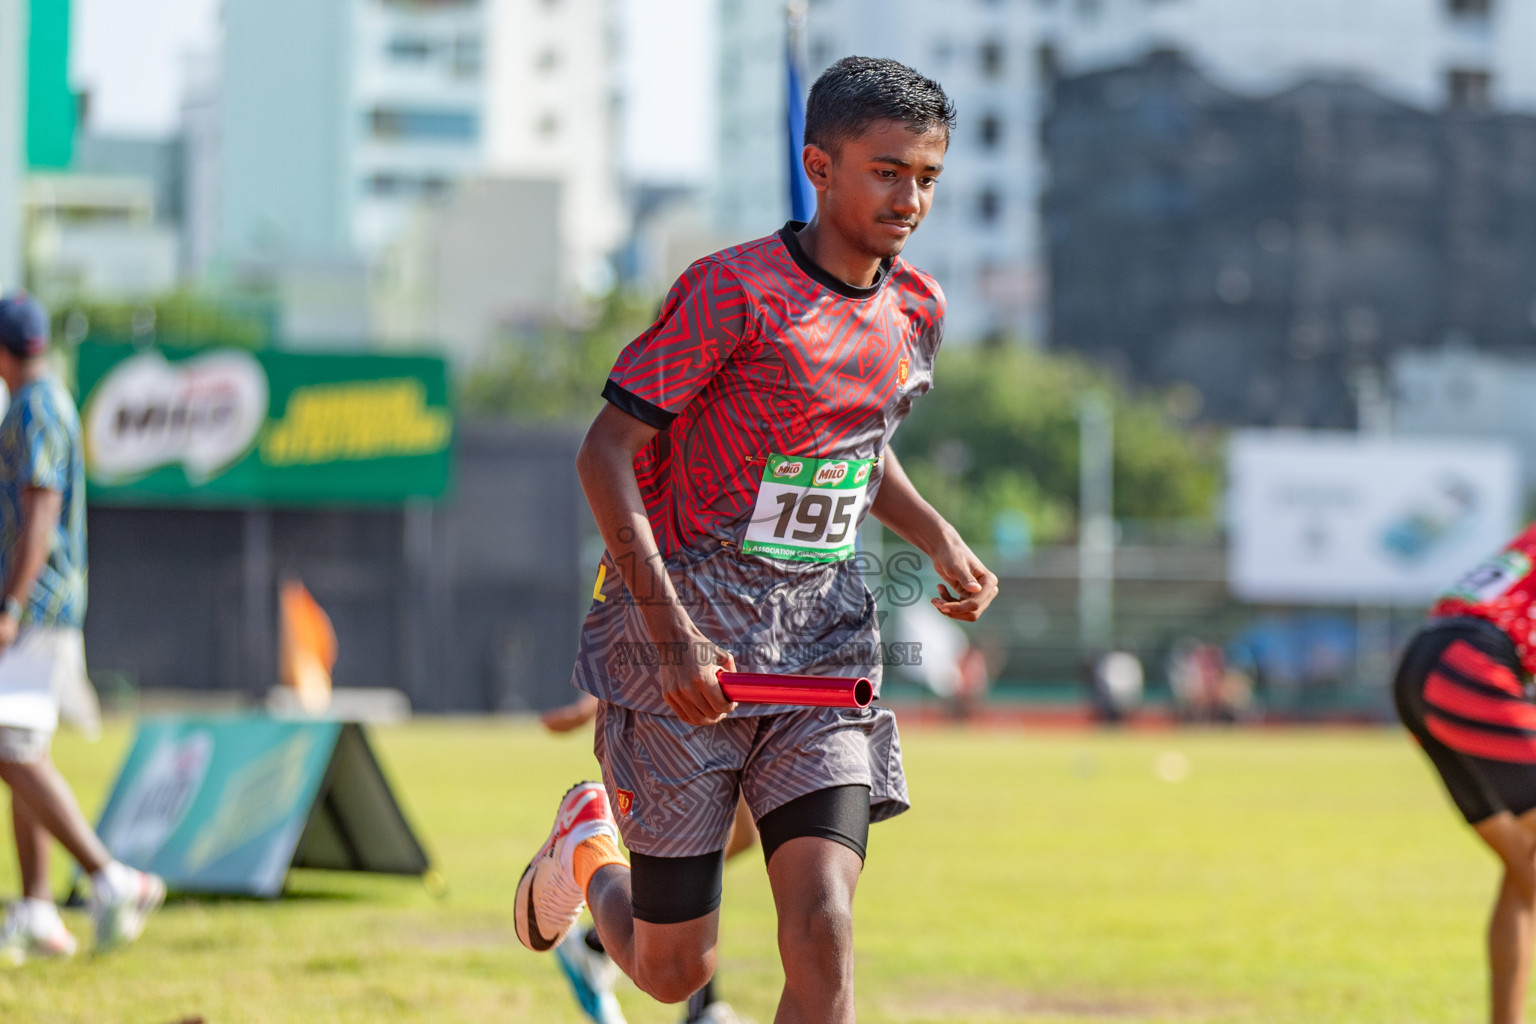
746	437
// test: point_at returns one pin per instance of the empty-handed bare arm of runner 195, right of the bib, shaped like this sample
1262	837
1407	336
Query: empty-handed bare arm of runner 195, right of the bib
912	518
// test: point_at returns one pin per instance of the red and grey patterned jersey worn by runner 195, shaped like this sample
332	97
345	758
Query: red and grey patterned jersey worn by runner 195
758	352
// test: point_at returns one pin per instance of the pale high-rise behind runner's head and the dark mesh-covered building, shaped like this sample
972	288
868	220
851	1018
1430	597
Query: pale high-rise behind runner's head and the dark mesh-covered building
998	61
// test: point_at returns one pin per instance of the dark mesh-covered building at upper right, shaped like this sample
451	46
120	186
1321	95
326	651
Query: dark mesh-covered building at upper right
1274	253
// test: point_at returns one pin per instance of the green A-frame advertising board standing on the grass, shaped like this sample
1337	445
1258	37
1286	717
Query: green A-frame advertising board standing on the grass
228	805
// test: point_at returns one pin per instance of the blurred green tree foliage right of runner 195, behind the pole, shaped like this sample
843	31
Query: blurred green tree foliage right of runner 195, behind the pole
999	435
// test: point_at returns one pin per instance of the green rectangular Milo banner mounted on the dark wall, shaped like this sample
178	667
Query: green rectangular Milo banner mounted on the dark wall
228	426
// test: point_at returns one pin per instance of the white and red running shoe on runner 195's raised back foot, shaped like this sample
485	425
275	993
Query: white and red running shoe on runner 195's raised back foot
549	900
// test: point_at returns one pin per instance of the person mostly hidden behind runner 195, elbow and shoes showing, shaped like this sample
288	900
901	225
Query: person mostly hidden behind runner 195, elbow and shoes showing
584	962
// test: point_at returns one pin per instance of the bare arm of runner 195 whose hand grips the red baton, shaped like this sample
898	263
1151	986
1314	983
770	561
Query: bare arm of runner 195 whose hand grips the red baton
606	466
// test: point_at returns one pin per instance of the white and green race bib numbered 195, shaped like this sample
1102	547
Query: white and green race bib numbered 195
807	509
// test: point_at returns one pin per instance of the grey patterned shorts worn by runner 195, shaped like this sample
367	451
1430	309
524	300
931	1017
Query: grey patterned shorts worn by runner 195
674	785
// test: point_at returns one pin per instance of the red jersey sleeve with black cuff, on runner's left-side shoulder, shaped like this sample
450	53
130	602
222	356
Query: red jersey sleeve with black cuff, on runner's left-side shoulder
706	317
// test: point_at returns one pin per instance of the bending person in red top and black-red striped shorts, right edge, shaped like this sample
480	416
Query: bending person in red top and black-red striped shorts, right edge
1465	692
